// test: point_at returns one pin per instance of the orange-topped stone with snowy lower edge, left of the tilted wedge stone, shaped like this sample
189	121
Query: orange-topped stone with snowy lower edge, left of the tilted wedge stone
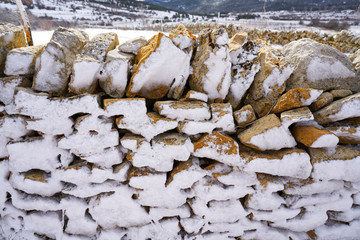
219	147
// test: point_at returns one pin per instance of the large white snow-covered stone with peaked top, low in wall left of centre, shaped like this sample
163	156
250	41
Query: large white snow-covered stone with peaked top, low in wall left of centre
117	209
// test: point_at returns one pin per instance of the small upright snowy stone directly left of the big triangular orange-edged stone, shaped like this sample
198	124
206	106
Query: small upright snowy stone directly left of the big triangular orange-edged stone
114	73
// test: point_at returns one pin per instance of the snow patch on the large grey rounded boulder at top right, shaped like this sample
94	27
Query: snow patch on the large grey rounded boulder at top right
320	69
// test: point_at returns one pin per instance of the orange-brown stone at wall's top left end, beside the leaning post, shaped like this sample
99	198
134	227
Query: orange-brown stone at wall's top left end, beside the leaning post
11	36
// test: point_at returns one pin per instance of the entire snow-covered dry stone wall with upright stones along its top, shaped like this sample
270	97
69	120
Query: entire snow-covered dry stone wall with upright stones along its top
178	137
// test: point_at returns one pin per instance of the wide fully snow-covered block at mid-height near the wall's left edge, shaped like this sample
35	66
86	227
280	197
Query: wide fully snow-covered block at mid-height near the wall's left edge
36	153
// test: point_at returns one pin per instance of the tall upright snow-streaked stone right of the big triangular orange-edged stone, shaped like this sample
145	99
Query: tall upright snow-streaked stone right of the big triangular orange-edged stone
211	64
